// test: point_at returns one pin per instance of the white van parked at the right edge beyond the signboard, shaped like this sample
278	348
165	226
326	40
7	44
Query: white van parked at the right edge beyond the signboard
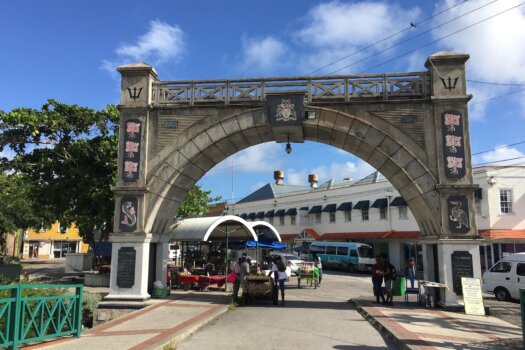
506	277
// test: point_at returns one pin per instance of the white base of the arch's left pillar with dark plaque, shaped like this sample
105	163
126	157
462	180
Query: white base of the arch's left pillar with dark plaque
129	281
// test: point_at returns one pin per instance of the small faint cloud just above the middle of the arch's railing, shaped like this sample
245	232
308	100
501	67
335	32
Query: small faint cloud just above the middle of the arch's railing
263	55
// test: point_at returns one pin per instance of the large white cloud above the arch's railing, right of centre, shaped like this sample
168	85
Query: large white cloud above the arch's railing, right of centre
337	29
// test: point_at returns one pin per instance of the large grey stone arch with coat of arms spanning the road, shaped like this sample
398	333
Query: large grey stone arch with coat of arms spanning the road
412	127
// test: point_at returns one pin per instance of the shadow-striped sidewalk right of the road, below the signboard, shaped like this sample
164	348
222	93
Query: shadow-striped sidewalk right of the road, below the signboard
419	328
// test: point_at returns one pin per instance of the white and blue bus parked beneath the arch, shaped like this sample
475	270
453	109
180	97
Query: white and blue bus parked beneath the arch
344	255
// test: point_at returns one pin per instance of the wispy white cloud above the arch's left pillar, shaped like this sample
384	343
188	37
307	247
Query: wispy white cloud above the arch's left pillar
161	43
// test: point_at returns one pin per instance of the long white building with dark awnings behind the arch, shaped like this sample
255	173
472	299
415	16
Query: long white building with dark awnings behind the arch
371	210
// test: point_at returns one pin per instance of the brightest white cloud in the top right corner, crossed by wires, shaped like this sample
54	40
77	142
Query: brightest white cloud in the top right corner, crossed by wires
496	46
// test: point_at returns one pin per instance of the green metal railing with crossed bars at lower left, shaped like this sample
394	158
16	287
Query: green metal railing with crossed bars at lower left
36	312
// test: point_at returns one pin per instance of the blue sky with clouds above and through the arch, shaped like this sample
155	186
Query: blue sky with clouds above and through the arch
68	51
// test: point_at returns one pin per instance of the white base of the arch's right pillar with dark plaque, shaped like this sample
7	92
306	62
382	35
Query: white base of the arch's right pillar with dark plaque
446	260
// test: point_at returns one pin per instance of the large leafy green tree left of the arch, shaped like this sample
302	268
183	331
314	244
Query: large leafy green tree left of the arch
67	156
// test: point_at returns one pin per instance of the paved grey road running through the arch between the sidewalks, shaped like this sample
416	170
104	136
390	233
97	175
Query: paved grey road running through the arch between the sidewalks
312	319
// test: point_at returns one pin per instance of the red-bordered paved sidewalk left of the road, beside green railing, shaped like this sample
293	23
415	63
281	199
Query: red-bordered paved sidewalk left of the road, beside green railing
165	322
